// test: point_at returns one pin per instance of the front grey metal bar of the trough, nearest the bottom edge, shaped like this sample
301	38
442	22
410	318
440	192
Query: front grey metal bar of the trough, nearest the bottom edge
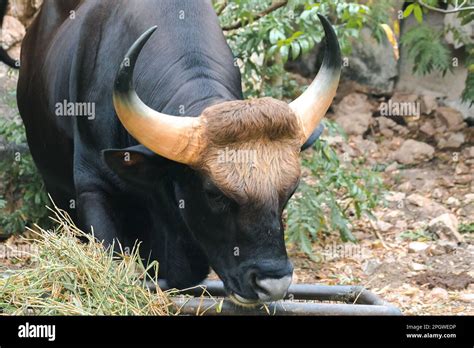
211	307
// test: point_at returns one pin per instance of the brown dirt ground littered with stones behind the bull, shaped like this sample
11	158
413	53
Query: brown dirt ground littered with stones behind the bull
398	256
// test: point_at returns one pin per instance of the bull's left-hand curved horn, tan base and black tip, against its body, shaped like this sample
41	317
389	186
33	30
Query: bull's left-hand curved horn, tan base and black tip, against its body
173	137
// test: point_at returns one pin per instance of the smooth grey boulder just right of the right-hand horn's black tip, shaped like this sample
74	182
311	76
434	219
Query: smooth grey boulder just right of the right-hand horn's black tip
372	63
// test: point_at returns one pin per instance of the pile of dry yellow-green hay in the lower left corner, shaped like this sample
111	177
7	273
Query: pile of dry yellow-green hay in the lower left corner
68	277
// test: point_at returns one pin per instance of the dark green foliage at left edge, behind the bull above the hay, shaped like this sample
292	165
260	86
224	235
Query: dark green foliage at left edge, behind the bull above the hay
22	197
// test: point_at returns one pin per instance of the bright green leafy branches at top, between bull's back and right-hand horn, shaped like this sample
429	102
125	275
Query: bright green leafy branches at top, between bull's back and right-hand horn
262	46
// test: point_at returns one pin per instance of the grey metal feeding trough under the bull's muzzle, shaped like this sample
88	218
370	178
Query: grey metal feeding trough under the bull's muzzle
302	299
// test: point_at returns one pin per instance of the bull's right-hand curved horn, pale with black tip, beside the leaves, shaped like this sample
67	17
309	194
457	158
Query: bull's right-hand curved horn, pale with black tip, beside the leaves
313	104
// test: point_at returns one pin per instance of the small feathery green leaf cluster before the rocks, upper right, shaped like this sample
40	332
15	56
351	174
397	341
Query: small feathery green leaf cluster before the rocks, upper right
426	49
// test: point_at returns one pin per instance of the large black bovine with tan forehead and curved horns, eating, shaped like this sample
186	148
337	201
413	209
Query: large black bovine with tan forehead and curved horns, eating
119	171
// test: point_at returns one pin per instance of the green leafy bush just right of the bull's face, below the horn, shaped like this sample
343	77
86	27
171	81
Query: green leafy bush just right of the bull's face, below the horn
324	202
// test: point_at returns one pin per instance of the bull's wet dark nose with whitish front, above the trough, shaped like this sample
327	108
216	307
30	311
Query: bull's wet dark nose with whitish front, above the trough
271	283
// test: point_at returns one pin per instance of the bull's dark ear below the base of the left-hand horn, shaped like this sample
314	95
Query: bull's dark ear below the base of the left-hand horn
137	165
